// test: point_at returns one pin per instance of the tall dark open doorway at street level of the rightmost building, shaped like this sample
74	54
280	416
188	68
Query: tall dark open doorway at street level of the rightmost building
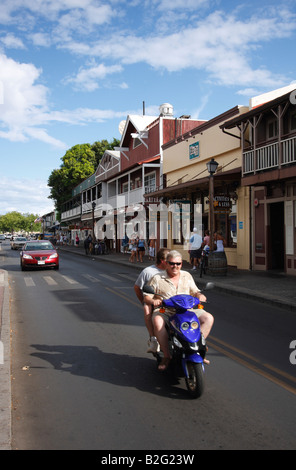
277	241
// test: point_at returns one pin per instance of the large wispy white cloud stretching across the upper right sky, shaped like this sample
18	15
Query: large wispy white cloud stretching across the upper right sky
222	47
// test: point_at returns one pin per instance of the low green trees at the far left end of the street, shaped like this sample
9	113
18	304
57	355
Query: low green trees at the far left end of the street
15	221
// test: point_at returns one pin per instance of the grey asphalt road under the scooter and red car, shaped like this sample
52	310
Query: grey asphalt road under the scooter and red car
81	377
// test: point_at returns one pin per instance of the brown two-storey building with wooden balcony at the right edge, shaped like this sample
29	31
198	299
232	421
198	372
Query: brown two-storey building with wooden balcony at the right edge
268	146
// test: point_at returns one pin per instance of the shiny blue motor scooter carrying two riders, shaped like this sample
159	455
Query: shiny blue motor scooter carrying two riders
186	343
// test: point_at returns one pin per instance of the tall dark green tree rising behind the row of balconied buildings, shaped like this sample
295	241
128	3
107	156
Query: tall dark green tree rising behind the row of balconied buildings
78	163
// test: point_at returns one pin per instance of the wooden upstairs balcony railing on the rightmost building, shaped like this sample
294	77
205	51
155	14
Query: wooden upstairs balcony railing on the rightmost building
267	157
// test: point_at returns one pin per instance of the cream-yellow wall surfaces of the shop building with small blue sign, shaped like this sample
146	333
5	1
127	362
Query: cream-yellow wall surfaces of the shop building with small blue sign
225	149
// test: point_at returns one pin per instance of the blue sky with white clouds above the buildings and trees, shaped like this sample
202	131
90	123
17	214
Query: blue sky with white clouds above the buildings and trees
72	70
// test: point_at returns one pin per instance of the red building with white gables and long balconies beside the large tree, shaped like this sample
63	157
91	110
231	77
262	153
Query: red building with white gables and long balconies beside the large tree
108	202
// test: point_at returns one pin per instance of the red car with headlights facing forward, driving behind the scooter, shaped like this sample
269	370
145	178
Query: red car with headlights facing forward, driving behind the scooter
39	254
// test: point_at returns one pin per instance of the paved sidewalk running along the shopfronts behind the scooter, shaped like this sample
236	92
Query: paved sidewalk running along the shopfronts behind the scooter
275	288
